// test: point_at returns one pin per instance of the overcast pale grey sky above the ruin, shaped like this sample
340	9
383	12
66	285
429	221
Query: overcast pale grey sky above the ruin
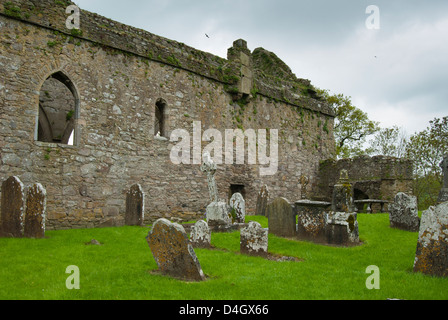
398	73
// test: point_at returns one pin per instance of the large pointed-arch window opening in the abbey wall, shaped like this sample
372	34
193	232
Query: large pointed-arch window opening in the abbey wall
58	108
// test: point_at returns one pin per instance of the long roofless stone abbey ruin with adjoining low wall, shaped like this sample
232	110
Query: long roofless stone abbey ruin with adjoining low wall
88	113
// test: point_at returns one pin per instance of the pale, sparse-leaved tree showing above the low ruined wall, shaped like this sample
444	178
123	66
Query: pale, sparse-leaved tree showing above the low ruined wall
390	142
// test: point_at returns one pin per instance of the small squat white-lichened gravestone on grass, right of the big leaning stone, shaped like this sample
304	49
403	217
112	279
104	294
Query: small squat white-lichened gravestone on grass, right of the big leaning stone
254	240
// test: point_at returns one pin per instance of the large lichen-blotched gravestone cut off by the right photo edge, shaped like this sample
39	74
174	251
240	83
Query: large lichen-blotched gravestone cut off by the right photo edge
432	247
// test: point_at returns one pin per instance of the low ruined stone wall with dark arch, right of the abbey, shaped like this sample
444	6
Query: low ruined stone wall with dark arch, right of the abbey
377	177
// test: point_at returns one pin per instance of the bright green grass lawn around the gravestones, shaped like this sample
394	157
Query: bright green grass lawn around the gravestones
122	268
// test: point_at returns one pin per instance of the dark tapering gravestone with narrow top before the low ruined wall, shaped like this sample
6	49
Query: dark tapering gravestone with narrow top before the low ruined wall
343	200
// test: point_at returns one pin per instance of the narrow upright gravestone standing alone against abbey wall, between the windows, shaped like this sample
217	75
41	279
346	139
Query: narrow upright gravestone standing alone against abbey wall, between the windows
135	206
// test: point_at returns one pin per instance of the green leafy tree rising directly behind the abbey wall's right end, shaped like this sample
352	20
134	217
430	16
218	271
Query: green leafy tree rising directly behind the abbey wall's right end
352	125
